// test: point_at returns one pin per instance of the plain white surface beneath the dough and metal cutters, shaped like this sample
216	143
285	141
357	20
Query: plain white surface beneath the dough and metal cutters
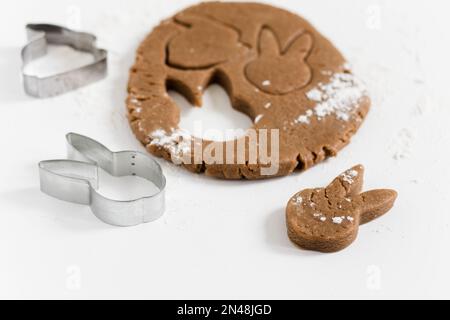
222	239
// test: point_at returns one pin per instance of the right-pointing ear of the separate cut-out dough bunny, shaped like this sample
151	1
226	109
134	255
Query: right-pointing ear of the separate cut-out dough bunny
375	203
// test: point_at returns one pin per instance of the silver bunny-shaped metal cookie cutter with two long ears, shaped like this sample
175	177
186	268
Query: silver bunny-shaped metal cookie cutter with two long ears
76	181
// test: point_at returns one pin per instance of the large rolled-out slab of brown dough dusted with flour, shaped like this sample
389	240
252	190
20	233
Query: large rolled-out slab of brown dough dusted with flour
277	69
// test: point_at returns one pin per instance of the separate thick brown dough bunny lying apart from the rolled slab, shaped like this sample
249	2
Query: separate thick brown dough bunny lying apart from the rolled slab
327	220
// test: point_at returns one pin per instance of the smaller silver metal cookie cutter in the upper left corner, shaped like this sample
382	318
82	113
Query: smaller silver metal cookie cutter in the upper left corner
39	36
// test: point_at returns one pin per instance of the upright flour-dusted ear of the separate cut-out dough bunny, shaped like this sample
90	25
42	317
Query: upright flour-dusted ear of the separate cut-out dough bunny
347	184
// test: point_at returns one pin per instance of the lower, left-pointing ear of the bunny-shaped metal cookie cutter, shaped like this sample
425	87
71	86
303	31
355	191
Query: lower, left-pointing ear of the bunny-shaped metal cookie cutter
68	180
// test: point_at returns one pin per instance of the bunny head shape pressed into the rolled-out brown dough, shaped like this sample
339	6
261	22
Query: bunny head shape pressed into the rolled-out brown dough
279	72
